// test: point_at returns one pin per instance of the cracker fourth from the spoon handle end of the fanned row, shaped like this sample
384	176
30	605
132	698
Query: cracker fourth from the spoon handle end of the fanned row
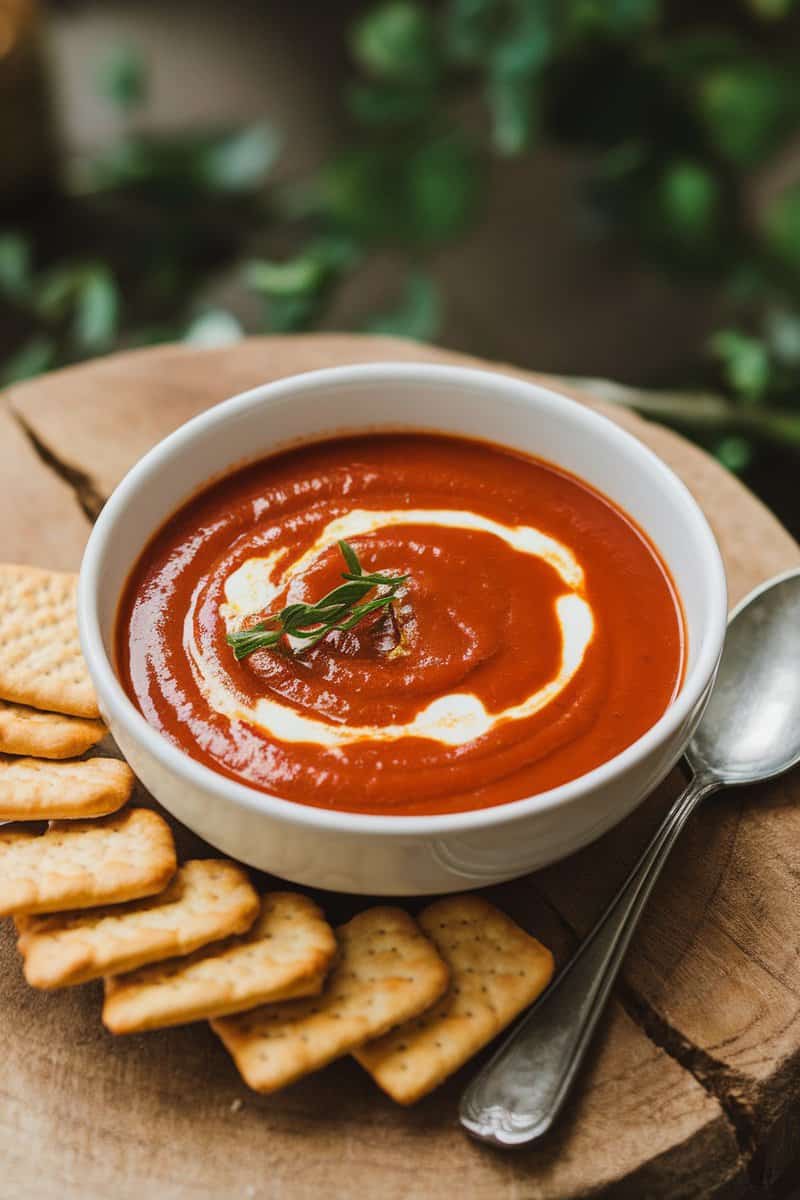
206	901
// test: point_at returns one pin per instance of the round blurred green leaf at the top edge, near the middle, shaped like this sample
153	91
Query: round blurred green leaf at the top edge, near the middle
396	41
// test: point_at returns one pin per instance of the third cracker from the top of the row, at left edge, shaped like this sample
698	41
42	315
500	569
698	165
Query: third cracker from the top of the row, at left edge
33	790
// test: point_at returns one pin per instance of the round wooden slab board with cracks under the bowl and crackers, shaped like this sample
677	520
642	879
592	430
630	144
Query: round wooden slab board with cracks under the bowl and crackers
694	1085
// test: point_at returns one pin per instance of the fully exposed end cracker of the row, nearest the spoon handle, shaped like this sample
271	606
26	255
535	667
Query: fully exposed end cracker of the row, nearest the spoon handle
497	970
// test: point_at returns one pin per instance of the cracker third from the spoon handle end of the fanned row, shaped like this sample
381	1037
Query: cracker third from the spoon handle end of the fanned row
286	955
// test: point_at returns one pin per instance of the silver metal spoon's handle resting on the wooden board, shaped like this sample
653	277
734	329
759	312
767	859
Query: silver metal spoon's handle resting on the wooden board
519	1095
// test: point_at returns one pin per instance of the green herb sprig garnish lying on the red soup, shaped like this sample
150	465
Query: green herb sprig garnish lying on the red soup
341	609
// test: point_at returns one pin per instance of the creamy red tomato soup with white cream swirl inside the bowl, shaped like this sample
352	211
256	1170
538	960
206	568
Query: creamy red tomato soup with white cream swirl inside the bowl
536	637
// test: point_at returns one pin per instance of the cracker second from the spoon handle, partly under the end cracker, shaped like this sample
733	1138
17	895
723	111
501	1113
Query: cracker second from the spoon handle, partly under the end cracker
386	973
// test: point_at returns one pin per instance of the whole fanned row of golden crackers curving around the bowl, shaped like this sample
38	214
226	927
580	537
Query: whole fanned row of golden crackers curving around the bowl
99	893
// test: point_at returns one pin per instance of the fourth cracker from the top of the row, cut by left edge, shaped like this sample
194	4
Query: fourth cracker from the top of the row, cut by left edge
82	865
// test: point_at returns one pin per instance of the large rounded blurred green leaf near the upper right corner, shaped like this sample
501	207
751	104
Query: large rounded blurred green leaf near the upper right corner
748	109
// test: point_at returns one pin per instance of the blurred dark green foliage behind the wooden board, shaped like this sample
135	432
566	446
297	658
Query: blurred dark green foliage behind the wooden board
676	109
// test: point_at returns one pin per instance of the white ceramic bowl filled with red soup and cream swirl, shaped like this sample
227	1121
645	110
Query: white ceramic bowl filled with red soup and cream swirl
401	629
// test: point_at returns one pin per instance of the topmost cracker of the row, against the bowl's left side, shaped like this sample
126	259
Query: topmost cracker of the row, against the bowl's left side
40	656
